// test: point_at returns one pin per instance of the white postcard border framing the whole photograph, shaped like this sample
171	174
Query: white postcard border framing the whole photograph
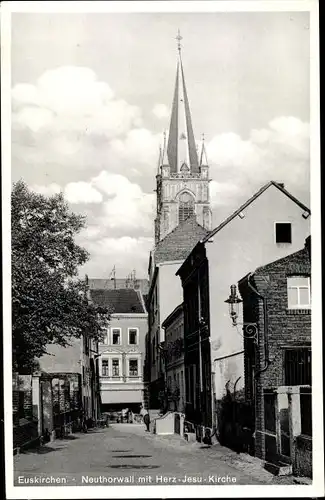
317	489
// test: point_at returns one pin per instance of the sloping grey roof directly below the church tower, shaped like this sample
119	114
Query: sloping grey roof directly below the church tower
178	243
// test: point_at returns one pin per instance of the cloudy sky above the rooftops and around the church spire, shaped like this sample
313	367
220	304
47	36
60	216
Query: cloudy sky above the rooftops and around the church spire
91	98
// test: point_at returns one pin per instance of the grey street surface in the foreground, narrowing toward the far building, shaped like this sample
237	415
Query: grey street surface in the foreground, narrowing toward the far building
126	454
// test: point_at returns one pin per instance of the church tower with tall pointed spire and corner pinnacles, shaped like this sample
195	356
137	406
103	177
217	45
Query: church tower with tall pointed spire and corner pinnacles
183	176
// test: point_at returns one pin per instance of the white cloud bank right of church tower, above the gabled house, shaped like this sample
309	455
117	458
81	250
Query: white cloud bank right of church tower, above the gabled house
278	152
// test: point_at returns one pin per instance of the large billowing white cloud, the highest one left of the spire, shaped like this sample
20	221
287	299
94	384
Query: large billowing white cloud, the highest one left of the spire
70	99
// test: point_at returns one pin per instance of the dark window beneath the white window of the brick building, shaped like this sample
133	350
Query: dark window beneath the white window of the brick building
297	366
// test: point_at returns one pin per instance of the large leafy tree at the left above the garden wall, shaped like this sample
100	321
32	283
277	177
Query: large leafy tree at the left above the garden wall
49	303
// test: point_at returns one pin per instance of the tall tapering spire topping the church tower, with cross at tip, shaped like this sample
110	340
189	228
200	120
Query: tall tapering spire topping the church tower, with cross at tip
181	146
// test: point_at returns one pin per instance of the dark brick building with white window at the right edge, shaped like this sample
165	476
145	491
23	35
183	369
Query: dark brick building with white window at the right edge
277	298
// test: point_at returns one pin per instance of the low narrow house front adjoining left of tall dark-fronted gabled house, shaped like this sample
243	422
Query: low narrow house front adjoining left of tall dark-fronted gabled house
174	360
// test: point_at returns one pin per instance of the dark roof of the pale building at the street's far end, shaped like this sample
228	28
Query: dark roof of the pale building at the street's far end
118	300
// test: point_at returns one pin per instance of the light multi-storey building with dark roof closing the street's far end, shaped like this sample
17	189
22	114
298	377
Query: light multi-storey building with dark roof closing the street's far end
121	354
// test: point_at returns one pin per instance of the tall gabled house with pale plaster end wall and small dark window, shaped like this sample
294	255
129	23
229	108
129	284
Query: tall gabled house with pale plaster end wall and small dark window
270	225
